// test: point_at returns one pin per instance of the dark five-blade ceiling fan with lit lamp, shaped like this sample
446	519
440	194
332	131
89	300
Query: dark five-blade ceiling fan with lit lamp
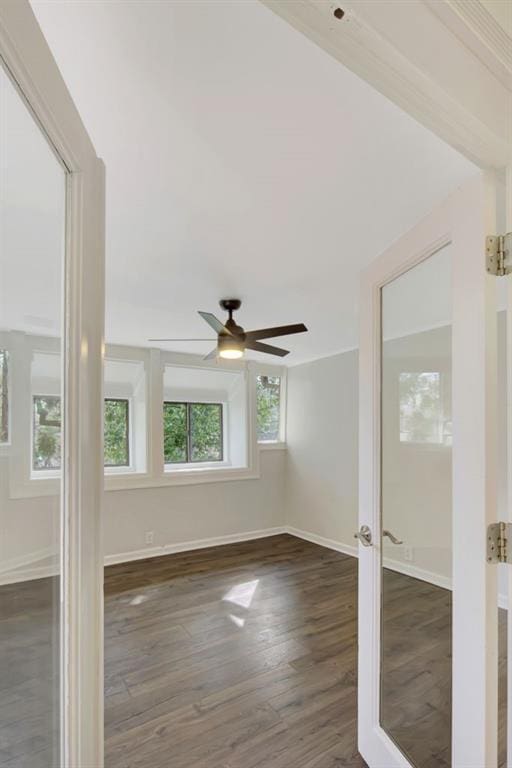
232	340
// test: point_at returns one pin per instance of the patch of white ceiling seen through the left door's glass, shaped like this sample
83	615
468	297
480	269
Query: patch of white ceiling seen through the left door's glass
32	221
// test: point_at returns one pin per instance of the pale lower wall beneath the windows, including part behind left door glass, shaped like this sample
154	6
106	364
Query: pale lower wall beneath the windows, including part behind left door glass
177	515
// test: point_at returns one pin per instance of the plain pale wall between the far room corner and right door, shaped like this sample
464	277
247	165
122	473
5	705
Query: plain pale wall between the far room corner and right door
322	432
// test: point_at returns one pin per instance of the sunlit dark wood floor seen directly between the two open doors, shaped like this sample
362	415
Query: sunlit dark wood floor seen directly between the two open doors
240	656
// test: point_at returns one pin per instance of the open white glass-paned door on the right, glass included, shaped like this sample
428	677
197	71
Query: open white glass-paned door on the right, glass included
428	615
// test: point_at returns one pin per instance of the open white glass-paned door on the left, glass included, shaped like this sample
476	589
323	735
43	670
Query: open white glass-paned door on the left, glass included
51	476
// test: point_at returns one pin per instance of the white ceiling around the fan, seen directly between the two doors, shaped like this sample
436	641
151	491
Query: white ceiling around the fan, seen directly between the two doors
241	161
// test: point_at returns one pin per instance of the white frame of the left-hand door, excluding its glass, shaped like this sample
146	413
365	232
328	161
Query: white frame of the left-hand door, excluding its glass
27	58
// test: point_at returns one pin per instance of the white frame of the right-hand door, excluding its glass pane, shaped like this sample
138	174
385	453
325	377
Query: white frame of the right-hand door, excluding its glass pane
475	605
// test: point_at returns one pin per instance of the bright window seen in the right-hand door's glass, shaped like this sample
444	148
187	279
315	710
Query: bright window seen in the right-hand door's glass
422	419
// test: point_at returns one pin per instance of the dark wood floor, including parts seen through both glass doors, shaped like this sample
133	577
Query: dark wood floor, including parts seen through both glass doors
241	656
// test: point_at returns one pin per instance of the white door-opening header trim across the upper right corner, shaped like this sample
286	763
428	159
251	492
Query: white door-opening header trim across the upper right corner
414	57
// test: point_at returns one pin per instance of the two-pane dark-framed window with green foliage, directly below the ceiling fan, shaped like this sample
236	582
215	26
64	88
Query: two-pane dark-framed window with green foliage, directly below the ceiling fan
193	432
